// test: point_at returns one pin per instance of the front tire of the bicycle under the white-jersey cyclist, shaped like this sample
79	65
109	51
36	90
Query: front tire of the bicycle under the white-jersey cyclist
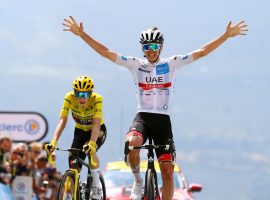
149	193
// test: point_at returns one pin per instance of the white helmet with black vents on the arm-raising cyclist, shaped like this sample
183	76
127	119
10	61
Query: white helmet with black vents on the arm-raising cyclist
151	36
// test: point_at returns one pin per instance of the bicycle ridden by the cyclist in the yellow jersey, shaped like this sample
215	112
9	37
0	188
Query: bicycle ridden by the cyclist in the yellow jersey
71	187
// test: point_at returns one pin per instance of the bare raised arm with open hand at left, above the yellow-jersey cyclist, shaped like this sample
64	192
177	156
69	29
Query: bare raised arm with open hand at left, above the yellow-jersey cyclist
77	29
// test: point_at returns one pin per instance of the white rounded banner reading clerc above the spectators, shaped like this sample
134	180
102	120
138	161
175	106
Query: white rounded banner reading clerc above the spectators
23	126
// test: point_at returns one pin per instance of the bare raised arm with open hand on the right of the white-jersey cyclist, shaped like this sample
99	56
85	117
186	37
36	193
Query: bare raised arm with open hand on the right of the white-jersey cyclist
231	31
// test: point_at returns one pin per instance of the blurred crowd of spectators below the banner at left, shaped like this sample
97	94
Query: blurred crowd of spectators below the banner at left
28	159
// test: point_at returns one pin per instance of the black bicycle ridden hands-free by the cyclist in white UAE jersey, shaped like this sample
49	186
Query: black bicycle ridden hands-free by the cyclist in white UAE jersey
151	190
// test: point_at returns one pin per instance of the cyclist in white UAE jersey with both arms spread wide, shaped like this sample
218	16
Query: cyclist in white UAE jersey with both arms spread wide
154	80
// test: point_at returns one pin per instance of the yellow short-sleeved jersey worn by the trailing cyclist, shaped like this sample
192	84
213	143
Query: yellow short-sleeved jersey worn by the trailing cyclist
83	116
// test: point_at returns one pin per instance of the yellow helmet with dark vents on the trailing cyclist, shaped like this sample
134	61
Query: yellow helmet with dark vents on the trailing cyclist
83	84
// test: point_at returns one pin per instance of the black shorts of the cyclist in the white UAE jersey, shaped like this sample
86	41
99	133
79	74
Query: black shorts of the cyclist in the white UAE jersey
157	126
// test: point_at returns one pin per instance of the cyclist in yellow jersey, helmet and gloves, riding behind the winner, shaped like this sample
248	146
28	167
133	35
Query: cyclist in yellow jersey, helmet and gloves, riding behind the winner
90	130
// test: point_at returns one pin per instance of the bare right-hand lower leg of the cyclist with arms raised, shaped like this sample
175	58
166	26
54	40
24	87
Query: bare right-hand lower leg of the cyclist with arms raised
166	169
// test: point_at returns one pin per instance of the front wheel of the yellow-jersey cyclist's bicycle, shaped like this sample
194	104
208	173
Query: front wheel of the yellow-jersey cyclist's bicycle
66	186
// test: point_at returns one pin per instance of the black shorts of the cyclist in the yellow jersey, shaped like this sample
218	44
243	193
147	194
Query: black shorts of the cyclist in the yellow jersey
81	137
